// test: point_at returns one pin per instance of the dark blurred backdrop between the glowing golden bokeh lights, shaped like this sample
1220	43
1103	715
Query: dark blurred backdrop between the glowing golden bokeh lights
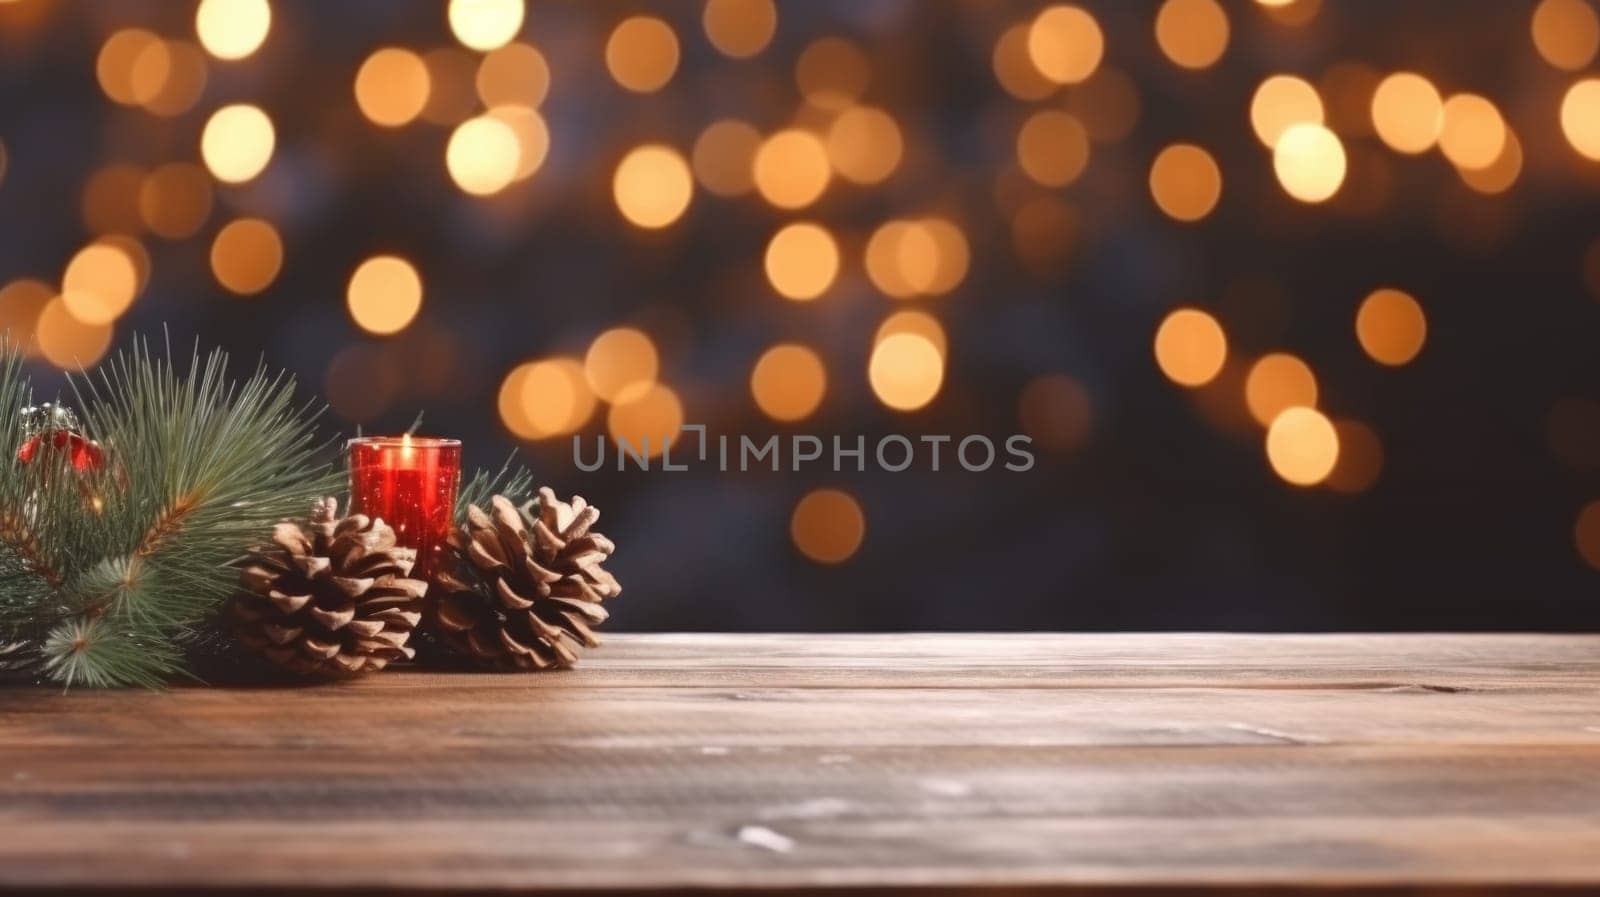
1161	519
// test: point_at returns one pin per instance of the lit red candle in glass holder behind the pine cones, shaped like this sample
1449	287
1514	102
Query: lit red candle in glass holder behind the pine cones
409	482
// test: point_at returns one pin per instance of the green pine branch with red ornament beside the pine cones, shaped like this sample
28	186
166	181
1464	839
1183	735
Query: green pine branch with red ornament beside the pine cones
204	466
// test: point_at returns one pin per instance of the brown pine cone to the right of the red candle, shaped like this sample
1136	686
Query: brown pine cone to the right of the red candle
527	584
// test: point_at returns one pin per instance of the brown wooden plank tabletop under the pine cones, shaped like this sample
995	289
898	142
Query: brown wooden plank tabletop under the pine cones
785	762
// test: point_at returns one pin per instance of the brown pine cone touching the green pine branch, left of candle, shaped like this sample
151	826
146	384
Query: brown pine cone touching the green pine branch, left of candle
330	597
